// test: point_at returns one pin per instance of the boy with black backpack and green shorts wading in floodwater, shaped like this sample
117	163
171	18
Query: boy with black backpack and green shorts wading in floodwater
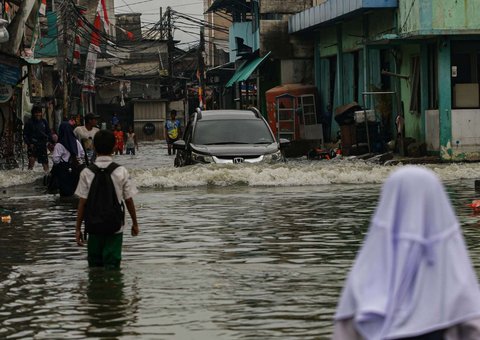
105	232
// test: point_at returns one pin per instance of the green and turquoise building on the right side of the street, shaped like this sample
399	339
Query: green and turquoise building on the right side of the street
406	59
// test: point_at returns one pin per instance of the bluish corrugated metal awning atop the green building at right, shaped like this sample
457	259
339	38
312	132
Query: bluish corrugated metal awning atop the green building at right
331	10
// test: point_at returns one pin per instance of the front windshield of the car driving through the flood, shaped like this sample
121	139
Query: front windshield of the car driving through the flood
232	131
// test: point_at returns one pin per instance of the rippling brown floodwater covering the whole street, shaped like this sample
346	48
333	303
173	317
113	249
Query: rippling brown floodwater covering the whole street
225	252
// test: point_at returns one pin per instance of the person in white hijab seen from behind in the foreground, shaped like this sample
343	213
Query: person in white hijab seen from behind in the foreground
412	278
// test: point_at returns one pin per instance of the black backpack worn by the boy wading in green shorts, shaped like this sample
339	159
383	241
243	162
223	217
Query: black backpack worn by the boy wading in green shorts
104	215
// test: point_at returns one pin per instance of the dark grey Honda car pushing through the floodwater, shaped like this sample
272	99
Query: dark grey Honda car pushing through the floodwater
228	136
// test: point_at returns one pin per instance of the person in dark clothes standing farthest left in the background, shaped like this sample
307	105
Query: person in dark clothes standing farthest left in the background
36	135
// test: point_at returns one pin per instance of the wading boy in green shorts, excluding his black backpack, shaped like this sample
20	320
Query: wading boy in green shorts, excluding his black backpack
105	250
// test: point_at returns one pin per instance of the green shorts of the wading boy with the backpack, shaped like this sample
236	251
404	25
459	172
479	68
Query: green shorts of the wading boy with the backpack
105	250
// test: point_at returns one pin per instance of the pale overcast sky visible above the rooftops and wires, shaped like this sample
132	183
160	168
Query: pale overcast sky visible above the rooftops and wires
150	10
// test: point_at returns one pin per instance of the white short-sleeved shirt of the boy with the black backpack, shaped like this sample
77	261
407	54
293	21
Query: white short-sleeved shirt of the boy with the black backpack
124	187
